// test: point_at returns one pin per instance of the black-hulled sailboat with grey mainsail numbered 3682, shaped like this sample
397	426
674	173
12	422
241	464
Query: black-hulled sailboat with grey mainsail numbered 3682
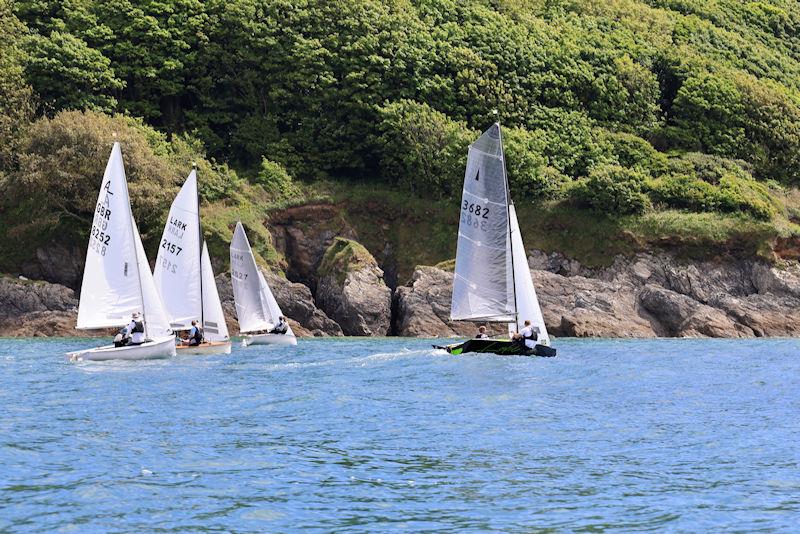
492	282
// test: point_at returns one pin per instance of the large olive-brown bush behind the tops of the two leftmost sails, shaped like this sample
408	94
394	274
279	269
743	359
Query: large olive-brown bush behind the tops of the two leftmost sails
62	161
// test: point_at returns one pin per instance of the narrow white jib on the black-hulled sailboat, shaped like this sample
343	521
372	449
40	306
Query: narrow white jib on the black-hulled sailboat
527	302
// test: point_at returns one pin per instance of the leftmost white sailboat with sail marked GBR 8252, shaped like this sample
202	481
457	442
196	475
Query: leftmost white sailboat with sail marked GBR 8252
117	281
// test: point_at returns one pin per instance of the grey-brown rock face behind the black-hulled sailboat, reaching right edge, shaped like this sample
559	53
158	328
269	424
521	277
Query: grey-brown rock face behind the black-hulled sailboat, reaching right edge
647	295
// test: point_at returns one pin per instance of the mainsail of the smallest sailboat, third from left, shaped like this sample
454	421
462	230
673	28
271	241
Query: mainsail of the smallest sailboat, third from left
247	282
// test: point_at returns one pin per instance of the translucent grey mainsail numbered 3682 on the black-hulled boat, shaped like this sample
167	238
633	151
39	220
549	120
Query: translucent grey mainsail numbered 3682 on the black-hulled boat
483	287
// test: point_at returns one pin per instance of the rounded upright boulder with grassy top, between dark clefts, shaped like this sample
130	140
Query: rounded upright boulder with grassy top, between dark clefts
351	289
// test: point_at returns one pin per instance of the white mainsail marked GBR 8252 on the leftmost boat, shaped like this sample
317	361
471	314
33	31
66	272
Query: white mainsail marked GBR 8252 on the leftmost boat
111	289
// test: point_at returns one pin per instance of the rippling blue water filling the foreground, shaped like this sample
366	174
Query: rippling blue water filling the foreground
374	435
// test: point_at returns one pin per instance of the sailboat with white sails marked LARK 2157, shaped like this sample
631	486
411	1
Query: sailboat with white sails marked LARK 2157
184	277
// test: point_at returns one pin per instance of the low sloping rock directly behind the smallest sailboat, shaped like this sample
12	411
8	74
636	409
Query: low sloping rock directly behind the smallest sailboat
295	301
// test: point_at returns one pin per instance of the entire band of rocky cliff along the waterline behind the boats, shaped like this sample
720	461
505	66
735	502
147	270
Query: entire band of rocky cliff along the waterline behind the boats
645	295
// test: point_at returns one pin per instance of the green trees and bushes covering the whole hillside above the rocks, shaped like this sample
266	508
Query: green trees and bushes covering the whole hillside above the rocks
647	122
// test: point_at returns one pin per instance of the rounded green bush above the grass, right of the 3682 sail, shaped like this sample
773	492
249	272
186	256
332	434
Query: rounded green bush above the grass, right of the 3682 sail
613	190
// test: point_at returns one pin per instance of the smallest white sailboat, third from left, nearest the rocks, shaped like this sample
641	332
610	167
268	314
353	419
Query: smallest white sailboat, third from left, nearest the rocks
256	307
